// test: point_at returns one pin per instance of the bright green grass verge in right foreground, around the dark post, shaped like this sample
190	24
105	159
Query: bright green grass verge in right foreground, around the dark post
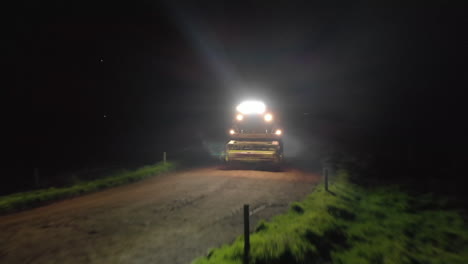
356	225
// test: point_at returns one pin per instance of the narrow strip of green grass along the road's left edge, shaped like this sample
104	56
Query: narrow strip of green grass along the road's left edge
25	200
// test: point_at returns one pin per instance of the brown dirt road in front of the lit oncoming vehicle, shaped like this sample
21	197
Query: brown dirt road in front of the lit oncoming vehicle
171	218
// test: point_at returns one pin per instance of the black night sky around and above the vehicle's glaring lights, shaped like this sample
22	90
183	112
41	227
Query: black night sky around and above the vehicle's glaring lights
118	83
